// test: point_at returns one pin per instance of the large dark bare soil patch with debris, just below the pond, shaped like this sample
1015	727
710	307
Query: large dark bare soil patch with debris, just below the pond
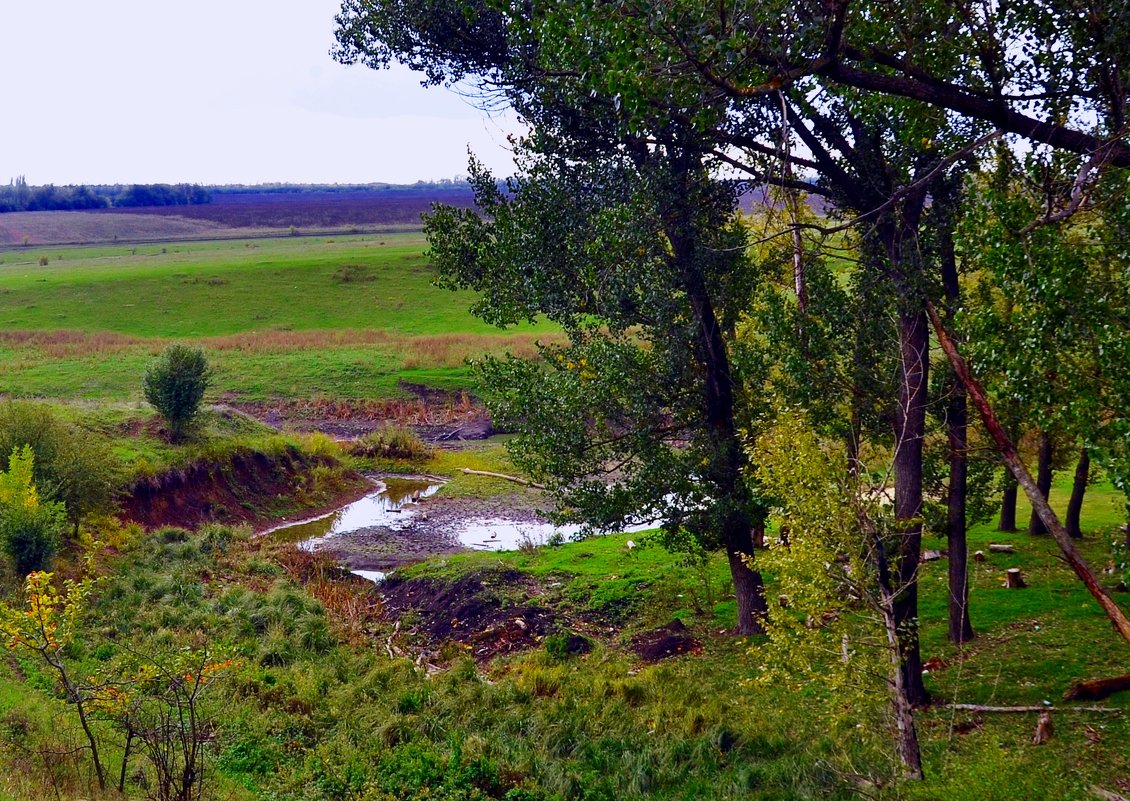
489	612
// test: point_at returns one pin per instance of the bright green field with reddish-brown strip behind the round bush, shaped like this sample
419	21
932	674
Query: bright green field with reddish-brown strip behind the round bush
295	318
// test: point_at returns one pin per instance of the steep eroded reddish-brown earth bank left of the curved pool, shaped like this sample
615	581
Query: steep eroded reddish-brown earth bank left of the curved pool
237	491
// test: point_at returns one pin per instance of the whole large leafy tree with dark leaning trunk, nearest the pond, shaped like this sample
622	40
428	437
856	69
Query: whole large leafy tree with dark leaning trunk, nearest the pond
618	231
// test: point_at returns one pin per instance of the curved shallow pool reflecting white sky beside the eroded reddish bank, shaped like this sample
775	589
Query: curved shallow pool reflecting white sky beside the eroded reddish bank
392	507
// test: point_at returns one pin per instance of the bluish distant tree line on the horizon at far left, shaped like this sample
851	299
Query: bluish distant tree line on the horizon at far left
21	197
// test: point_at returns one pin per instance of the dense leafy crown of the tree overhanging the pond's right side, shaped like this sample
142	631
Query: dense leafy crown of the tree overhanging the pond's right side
638	387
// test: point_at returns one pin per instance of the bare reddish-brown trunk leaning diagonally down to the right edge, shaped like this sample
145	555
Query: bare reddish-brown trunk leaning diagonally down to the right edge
1012	459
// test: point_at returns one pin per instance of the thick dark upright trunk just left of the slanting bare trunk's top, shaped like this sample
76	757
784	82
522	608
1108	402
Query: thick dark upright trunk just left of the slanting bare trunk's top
910	430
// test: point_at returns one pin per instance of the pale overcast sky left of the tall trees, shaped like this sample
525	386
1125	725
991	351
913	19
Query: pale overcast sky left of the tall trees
218	92
